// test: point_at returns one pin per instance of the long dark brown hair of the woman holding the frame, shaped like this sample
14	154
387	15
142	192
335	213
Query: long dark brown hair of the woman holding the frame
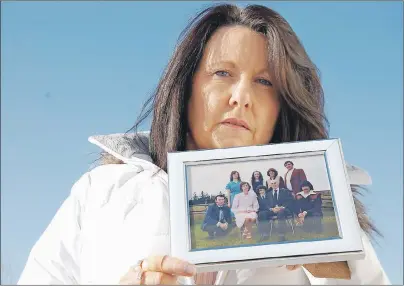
296	80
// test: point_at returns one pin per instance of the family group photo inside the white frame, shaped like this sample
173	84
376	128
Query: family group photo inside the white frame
260	201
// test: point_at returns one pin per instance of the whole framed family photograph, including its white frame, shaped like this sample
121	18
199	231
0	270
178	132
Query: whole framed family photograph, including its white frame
277	204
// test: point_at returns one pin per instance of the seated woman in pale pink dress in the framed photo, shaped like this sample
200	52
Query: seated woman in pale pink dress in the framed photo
245	207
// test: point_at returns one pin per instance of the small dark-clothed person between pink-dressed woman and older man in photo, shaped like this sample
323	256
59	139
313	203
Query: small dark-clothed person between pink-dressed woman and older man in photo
264	212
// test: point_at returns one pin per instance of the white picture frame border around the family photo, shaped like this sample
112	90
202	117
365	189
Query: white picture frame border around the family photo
347	246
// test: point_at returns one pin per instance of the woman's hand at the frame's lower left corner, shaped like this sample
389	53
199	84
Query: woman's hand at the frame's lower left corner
158	270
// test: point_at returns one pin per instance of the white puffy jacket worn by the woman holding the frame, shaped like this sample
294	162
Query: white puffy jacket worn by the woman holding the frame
117	214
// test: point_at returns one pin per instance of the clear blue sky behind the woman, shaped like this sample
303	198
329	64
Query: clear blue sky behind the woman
71	69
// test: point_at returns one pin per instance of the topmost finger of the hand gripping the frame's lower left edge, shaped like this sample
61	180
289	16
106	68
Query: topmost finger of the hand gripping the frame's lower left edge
168	265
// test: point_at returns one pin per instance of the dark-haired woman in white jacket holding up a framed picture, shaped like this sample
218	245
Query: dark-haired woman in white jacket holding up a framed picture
238	77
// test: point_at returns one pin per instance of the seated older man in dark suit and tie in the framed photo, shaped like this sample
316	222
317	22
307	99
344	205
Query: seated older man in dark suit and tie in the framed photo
282	205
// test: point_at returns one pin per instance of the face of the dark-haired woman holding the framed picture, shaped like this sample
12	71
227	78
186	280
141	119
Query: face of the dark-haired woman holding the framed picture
233	102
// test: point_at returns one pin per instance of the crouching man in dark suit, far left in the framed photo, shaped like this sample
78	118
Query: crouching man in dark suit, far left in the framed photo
217	220
